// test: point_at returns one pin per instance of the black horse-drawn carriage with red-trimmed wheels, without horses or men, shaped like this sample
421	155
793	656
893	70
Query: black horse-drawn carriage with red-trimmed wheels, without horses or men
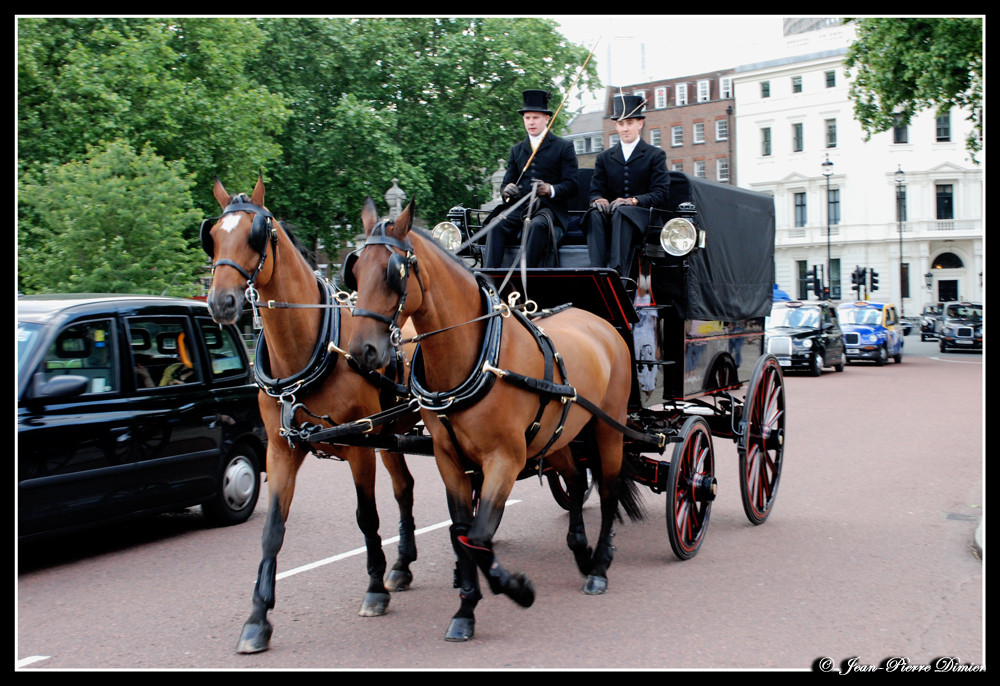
697	340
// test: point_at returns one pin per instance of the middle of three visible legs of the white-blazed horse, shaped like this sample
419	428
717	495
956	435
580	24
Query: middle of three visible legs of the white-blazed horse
376	599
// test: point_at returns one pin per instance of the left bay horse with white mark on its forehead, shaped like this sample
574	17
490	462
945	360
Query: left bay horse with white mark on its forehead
301	383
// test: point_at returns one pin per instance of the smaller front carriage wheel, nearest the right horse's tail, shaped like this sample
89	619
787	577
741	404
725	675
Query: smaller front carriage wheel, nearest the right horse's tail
691	488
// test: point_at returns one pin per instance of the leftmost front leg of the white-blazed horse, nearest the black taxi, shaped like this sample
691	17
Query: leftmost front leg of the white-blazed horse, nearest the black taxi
282	466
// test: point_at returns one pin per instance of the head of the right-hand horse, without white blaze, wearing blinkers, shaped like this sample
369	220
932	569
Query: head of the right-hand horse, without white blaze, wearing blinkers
380	272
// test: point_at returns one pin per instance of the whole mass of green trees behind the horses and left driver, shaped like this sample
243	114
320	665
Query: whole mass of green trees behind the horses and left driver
330	110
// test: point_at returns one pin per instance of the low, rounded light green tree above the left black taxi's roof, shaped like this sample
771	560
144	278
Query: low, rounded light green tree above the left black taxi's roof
113	223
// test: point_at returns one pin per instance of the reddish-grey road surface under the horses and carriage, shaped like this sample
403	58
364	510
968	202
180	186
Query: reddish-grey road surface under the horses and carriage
868	554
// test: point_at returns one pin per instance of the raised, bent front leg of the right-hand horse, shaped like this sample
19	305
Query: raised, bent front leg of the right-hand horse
497	484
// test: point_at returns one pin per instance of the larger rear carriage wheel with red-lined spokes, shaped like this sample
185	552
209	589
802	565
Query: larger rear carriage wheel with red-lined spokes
762	437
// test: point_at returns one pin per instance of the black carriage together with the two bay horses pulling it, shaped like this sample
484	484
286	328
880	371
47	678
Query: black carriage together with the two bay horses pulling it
544	348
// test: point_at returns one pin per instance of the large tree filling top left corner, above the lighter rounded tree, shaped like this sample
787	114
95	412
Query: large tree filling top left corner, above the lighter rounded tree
177	84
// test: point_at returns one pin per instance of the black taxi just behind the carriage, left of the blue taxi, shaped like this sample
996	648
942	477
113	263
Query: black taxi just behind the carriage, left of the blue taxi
805	336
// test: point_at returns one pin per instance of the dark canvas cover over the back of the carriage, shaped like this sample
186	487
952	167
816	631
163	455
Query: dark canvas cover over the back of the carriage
722	281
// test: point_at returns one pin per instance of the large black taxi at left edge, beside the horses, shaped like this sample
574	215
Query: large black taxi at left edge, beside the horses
130	405
